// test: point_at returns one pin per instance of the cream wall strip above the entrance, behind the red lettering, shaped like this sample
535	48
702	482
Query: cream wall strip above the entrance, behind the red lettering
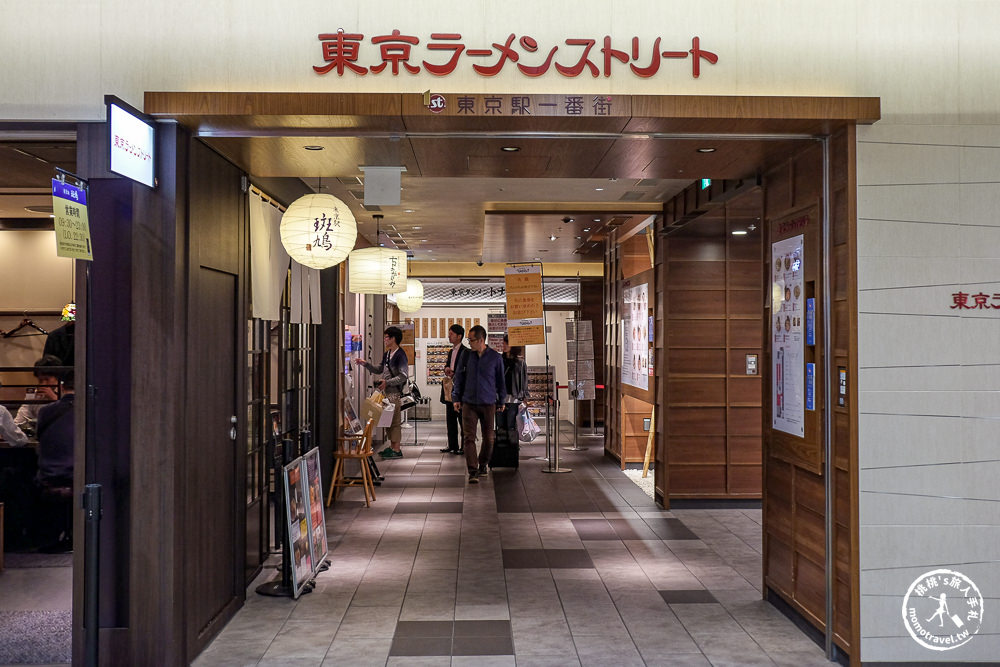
929	60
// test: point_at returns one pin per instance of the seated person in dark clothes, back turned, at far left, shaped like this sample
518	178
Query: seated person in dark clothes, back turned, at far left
55	465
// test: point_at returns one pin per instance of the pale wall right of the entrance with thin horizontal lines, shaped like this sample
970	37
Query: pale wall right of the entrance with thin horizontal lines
929	379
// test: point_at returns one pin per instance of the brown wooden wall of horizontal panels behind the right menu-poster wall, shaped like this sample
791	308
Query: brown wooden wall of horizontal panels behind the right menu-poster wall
713	319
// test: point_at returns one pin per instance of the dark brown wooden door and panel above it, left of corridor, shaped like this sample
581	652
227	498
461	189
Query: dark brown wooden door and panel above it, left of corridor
214	484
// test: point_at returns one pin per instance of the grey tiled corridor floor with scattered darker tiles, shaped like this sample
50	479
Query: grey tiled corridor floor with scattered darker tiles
524	568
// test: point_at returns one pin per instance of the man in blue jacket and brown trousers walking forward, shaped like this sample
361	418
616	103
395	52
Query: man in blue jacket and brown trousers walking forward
478	393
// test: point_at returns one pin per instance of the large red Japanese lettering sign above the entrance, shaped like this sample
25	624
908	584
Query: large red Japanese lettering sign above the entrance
445	52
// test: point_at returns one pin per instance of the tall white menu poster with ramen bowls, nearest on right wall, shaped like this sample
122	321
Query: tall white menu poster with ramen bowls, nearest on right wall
787	315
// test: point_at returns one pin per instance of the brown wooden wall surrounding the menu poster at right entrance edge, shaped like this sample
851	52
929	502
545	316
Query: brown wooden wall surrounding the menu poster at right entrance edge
794	489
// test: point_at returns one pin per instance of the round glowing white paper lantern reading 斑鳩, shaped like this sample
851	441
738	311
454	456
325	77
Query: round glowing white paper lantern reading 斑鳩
318	231
